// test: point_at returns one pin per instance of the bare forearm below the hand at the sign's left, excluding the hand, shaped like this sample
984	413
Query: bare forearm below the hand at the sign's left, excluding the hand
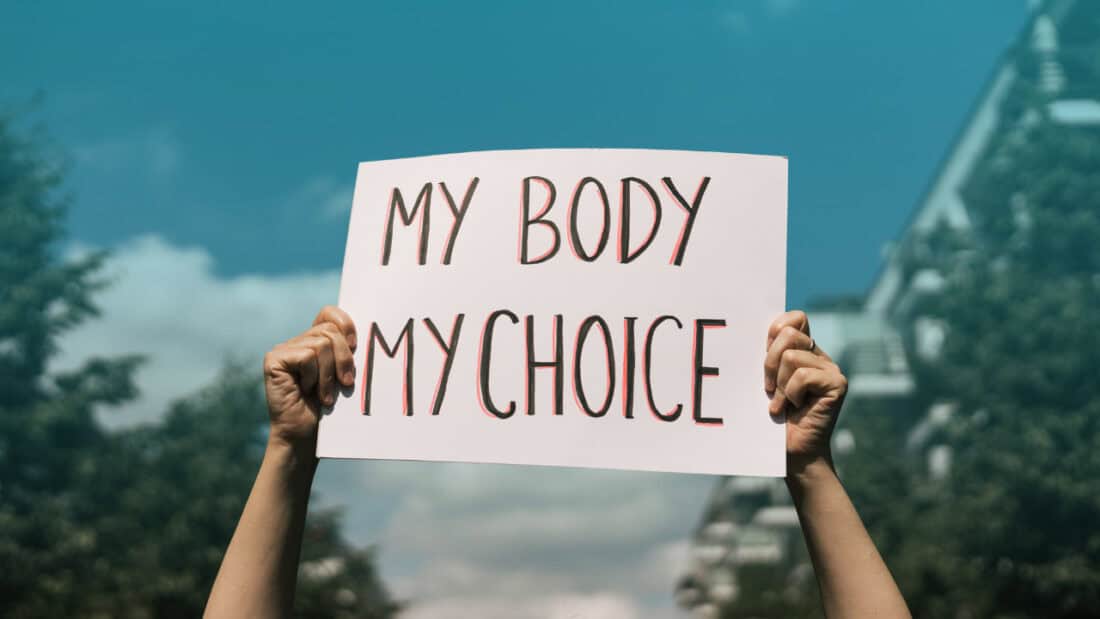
260	569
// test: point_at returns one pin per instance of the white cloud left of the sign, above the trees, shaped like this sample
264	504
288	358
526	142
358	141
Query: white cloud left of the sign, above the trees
167	303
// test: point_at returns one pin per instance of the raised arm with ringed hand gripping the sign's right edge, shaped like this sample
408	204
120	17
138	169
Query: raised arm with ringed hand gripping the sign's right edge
804	382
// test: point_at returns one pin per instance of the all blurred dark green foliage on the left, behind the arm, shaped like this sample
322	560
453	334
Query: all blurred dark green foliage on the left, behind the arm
131	524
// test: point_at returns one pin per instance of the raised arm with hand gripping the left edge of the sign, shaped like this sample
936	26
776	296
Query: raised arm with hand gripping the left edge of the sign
259	572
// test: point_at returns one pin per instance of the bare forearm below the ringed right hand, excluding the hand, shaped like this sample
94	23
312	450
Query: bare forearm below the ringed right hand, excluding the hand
853	578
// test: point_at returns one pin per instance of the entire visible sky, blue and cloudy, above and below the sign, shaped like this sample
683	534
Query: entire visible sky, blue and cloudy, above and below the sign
214	149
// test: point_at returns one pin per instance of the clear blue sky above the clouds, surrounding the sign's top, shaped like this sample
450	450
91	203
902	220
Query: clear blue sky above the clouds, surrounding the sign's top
251	115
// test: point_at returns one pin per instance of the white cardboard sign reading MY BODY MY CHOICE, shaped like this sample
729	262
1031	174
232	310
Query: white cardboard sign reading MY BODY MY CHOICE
600	308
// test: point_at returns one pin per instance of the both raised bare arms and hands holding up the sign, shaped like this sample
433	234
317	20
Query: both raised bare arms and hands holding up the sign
259	573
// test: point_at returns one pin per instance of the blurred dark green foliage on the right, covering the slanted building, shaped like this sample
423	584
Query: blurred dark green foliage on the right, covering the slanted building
1010	530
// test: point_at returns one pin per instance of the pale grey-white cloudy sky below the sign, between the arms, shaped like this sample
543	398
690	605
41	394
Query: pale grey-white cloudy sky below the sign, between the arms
521	537
